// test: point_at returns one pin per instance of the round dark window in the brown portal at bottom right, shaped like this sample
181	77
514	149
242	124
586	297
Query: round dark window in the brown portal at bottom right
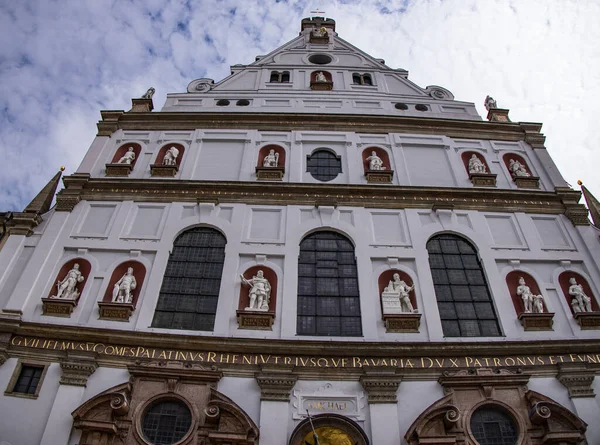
493	426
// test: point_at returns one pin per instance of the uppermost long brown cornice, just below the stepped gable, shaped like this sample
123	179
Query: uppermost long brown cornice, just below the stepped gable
113	120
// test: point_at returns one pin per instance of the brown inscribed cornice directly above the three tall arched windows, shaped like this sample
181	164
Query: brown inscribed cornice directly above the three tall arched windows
82	187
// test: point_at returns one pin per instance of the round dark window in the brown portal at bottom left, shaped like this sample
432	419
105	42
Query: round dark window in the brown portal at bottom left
166	422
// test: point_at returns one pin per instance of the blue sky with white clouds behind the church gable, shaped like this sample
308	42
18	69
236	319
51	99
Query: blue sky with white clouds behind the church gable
62	61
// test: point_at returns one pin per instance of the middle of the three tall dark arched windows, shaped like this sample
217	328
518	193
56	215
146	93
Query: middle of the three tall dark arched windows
328	300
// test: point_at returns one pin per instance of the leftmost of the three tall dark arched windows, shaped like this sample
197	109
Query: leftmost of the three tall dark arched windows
190	288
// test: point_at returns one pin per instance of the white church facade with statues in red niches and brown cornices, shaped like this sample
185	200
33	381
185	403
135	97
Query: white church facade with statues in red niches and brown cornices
312	250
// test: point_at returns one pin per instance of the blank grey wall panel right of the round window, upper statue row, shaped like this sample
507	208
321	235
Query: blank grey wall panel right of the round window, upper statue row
428	166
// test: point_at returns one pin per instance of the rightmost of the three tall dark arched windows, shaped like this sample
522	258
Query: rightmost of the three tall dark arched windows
462	293
